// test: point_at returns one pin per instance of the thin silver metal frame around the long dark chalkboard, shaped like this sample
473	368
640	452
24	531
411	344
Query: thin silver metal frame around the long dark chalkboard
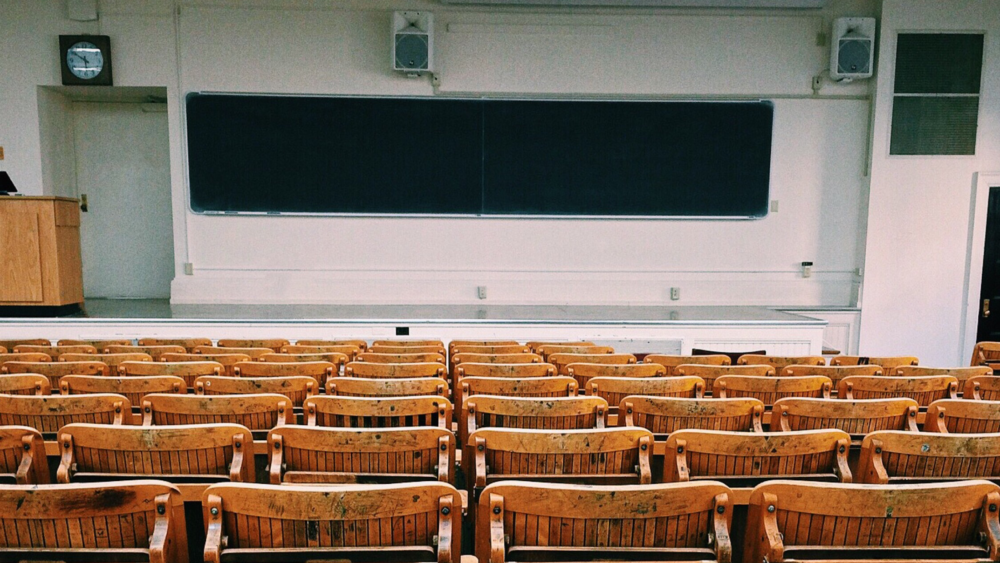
765	208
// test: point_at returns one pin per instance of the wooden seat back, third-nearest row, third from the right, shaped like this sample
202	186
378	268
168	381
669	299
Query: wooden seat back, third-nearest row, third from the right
663	415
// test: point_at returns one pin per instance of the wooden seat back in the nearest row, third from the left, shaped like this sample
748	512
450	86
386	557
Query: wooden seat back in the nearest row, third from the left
674	521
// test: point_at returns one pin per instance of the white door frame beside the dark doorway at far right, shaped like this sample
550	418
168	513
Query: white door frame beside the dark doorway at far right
974	258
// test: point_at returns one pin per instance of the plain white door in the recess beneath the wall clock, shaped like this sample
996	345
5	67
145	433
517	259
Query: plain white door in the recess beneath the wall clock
123	167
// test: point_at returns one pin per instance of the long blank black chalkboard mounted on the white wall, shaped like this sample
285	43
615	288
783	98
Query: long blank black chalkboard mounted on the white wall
478	157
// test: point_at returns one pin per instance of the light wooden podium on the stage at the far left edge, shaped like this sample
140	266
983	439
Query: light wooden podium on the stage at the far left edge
40	251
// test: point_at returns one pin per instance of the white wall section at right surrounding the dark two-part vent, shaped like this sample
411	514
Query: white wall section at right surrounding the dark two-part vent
920	208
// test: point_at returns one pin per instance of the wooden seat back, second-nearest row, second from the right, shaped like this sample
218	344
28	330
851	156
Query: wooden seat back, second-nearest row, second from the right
744	459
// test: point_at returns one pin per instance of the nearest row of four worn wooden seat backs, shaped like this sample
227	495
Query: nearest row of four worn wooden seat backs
515	521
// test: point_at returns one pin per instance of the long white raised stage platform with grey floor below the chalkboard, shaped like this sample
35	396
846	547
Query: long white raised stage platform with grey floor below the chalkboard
663	329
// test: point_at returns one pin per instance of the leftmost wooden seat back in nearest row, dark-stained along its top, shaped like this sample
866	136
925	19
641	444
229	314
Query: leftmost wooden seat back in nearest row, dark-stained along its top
125	521
